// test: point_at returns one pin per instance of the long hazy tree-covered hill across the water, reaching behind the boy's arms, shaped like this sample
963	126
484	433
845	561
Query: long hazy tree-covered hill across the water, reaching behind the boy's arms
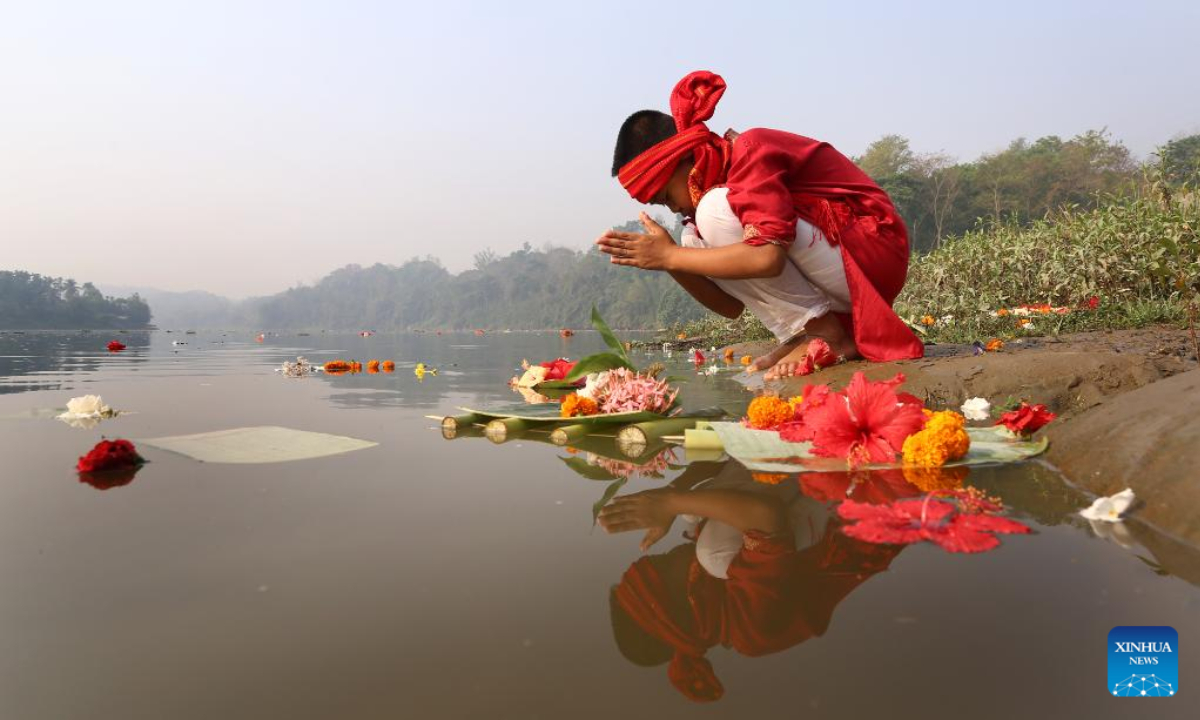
527	290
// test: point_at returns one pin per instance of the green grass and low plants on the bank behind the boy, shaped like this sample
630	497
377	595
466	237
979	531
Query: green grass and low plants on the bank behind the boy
1138	254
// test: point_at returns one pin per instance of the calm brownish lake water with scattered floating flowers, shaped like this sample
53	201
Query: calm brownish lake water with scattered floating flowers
428	578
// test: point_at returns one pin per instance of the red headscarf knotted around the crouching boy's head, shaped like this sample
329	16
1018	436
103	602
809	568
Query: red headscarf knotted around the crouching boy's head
693	101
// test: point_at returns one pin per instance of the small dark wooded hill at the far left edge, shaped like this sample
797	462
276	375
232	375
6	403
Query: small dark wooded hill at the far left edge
35	302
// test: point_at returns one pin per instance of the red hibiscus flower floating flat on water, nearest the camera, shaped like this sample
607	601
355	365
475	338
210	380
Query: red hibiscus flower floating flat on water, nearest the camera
905	523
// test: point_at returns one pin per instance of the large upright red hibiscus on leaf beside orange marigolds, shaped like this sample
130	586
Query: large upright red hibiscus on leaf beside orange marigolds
866	424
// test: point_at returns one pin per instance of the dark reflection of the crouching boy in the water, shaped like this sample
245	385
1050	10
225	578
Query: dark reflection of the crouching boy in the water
765	573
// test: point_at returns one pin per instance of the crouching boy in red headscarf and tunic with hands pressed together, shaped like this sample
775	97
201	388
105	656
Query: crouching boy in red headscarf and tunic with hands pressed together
776	223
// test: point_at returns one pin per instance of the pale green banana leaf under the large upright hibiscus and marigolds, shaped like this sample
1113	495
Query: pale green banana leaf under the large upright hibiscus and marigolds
764	451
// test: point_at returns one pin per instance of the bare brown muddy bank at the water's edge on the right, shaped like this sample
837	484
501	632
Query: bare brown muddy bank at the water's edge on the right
1129	405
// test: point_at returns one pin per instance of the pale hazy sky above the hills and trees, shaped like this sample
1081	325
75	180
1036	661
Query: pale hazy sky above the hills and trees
245	147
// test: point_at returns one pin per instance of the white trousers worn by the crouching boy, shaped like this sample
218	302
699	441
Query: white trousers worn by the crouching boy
813	283
